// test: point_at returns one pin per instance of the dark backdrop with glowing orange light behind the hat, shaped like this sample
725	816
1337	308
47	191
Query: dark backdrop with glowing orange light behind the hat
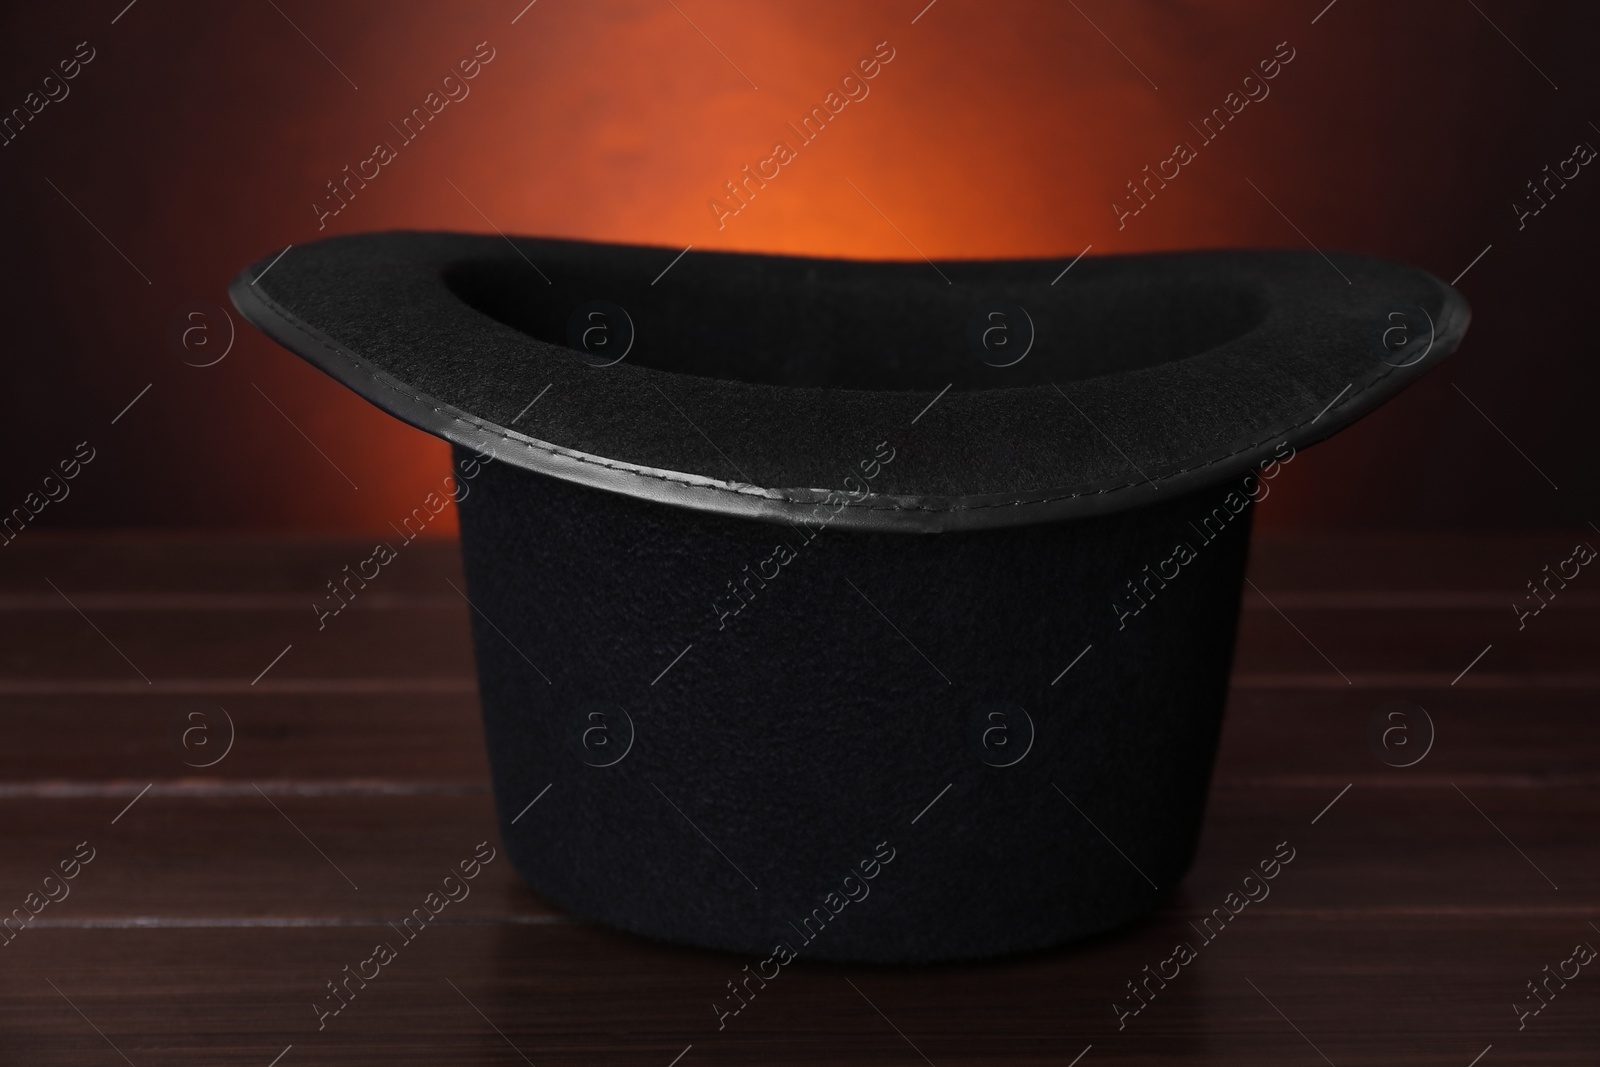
201	135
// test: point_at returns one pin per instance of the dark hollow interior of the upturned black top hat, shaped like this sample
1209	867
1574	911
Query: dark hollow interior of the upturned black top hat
834	326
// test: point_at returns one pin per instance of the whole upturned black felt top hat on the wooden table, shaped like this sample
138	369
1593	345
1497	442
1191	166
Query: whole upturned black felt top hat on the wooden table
646	561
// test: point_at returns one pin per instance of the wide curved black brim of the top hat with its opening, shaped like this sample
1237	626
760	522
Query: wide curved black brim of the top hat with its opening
756	385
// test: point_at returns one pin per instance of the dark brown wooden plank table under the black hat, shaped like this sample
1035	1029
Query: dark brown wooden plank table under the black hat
222	900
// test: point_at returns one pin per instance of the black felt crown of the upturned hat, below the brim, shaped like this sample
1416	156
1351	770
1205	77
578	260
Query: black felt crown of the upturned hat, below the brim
815	725
